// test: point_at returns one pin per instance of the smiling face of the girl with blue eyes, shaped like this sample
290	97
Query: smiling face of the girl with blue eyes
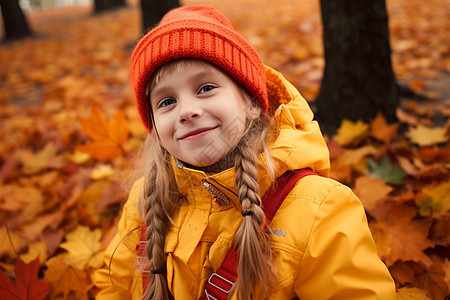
199	113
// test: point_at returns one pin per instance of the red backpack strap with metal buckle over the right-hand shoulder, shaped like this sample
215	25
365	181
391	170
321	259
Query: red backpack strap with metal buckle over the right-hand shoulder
222	281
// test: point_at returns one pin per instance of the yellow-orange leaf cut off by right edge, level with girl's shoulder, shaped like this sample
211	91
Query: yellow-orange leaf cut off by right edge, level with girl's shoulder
434	200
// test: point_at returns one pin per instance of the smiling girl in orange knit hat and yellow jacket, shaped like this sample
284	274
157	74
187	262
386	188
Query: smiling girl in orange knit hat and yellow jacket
222	127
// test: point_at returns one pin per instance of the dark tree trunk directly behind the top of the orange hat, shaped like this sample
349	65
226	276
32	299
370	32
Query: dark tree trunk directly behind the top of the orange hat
154	10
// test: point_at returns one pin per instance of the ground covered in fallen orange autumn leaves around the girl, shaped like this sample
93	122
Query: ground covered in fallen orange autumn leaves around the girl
69	130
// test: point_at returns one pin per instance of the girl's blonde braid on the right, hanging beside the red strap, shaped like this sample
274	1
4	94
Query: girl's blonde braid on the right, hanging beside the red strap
255	269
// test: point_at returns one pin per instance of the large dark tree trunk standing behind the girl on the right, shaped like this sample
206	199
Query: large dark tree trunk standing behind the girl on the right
358	79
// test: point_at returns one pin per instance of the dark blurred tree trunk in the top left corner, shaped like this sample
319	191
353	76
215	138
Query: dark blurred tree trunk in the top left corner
14	22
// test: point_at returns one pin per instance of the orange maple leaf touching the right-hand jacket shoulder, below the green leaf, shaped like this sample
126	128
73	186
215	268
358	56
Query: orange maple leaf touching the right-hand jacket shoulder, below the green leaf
371	190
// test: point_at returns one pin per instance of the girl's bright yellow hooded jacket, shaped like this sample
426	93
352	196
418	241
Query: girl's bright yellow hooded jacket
322	246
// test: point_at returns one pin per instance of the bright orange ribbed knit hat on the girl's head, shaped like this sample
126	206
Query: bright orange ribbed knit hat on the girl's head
196	32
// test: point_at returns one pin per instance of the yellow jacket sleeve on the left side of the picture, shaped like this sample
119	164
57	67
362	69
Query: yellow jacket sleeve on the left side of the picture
119	277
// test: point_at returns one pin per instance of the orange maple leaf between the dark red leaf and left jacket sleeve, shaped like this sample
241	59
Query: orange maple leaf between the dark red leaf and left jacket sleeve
65	278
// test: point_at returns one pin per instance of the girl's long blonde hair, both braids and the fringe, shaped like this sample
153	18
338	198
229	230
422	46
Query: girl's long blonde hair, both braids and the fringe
256	272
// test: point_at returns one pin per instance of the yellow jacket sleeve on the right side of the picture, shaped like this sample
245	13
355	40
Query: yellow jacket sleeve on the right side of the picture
340	260
